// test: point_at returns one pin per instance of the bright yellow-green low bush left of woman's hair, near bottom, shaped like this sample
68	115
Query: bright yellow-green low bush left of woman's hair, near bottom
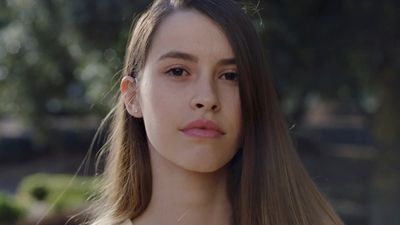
64	192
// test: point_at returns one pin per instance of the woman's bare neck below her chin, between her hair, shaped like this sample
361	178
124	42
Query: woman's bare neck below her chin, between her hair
185	197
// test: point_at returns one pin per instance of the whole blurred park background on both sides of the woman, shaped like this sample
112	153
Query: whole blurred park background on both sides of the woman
336	64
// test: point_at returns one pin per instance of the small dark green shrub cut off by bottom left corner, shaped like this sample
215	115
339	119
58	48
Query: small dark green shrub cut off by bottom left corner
10	211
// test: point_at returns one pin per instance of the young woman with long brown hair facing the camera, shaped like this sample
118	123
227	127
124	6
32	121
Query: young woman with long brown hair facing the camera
197	135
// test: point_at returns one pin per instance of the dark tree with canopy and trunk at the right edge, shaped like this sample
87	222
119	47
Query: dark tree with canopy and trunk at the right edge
344	50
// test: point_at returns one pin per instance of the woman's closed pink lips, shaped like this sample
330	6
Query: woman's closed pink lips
203	128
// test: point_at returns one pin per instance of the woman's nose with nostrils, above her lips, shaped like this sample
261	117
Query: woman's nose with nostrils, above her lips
205	98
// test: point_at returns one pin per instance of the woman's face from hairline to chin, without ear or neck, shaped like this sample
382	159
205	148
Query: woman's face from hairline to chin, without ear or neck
189	95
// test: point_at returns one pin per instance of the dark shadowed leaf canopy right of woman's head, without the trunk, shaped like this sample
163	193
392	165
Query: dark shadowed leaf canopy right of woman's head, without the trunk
327	48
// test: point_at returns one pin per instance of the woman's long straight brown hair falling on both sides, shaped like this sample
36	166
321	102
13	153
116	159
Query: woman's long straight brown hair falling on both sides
267	181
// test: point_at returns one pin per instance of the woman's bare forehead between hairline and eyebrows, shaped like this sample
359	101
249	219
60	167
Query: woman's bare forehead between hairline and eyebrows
191	32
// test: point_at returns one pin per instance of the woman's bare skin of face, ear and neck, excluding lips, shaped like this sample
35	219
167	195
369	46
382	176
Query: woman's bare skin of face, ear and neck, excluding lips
189	173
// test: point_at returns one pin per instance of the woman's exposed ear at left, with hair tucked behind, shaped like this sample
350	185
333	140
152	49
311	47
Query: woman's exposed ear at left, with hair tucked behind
129	94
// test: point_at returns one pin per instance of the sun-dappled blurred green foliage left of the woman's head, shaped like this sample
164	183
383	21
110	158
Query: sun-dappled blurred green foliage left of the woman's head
60	57
